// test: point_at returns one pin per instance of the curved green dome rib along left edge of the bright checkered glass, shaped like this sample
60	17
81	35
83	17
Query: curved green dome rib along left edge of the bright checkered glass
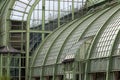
87	66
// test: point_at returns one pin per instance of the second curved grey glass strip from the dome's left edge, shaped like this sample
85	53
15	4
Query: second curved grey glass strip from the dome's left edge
58	44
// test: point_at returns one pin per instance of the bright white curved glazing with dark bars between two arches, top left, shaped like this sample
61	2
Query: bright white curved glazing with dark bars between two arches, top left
21	9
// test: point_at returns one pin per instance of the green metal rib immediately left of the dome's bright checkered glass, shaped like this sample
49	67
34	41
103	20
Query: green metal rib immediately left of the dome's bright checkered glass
91	47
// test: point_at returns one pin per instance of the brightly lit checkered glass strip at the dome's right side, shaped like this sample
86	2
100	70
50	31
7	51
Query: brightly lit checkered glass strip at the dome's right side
104	43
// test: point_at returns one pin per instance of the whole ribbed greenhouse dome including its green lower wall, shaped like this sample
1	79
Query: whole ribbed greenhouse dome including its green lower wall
86	48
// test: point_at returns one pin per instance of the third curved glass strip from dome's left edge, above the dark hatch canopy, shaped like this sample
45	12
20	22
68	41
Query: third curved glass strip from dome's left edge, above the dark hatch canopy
77	33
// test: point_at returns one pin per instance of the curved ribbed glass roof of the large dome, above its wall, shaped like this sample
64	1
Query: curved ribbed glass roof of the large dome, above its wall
103	27
